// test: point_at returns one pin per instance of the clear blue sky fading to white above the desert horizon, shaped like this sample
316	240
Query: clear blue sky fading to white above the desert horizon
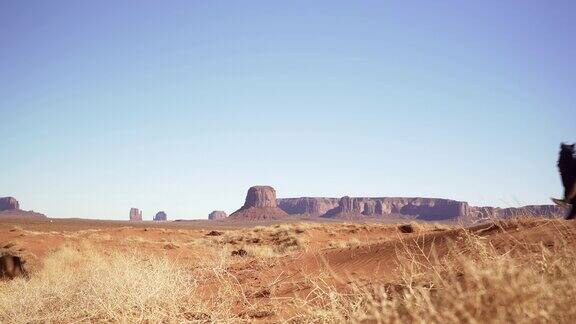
182	105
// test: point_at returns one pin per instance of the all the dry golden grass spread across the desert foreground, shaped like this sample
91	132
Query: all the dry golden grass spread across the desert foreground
473	282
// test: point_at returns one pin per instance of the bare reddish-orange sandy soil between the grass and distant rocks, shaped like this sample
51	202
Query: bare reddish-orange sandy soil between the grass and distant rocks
344	251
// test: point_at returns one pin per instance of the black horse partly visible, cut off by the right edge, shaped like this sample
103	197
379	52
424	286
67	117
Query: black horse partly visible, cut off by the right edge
567	167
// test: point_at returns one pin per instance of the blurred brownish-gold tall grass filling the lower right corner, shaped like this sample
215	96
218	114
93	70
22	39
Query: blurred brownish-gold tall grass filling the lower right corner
536	284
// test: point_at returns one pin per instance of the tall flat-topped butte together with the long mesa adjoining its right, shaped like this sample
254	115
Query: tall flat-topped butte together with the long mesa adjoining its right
261	203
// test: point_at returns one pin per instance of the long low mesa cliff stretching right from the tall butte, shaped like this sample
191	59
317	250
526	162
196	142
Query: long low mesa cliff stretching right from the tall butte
421	208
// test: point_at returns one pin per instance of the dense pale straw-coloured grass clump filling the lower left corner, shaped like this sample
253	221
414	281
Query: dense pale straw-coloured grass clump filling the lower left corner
86	285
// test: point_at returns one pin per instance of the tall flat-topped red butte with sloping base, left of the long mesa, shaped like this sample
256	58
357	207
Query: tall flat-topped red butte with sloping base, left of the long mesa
260	204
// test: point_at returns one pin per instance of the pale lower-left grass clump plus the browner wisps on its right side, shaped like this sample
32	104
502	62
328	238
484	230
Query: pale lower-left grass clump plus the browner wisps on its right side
84	285
